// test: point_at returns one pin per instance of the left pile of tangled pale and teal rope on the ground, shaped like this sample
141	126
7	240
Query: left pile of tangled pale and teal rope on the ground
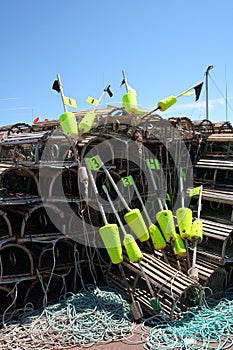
93	315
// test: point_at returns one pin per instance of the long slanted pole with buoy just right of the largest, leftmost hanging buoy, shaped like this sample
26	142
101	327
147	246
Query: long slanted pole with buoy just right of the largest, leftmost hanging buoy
134	253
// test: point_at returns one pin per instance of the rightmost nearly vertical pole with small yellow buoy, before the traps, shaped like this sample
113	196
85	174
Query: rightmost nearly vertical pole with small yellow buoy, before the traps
196	237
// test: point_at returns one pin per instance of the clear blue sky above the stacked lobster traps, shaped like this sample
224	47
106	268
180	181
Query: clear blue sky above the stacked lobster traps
164	46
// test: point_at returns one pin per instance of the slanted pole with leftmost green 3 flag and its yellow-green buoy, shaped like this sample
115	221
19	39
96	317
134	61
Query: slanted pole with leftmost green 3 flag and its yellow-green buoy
133	217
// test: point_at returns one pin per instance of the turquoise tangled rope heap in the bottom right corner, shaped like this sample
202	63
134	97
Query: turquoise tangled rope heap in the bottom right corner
207	327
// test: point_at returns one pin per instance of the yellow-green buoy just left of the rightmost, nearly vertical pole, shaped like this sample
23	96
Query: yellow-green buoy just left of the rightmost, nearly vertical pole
184	220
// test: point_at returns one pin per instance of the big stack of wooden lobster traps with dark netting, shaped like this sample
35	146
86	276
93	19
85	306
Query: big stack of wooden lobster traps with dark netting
47	214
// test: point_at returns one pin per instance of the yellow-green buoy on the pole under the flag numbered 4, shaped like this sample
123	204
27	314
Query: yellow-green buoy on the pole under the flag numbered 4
166	223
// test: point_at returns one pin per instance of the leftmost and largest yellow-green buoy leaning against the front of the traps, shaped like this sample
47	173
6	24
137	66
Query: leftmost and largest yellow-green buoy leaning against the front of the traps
111	239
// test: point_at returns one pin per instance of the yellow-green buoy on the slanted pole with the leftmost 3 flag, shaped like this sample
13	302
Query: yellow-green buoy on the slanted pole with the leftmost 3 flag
135	221
